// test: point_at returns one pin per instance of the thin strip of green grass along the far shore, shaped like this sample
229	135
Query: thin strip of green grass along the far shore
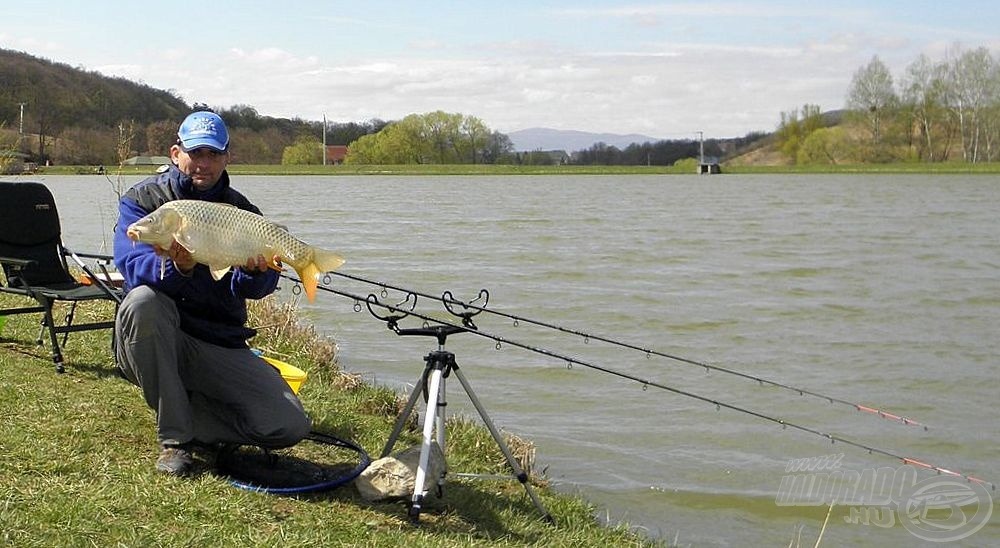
499	170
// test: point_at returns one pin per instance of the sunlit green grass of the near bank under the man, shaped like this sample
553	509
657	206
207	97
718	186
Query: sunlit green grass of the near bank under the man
78	452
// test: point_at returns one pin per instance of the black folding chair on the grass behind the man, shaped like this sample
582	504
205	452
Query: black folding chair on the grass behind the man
35	265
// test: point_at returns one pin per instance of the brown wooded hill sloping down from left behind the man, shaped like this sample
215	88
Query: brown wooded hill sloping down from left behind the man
75	116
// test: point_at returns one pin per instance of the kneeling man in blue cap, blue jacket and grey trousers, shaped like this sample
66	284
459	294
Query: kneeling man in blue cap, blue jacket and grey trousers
180	335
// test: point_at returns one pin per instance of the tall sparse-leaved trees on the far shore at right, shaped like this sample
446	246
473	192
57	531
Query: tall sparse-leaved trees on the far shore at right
936	111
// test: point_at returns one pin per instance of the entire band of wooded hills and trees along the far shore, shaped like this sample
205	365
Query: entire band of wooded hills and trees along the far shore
935	111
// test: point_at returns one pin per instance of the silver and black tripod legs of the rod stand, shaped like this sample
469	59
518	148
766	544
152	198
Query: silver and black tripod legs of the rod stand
438	365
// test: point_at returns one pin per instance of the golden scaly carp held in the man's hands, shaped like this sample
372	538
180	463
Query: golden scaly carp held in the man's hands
223	236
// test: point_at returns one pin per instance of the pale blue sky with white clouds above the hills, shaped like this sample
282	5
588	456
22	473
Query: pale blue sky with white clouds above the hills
663	69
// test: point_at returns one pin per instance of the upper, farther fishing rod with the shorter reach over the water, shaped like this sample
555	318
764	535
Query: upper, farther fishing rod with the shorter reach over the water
448	299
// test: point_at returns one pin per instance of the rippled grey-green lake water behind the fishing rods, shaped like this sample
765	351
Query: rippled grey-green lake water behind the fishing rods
879	290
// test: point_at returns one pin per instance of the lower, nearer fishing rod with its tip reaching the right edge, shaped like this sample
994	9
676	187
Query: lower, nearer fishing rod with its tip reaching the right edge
398	312
